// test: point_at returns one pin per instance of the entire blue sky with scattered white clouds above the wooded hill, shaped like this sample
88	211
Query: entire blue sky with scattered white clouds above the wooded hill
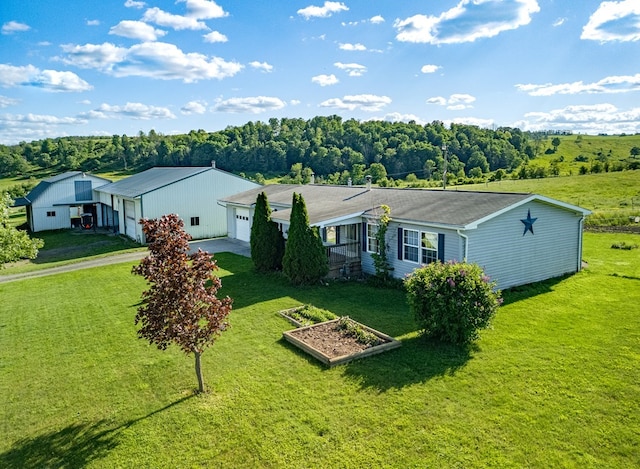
120	67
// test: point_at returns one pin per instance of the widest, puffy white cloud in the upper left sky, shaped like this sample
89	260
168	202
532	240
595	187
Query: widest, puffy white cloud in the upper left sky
158	60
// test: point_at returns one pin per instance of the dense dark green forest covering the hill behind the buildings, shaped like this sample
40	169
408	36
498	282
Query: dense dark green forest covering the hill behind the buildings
330	147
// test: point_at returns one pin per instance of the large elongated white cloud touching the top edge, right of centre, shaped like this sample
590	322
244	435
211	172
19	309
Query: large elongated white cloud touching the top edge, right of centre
467	21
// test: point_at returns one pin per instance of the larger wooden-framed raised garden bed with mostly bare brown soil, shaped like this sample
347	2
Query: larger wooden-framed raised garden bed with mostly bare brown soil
339	340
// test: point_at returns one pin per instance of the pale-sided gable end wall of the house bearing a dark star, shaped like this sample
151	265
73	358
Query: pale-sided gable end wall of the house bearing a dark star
511	258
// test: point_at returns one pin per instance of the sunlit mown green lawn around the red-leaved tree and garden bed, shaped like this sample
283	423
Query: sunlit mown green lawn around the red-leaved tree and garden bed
555	382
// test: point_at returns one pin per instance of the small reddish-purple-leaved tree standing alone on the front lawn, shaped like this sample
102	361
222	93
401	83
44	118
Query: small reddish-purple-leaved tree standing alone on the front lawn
180	306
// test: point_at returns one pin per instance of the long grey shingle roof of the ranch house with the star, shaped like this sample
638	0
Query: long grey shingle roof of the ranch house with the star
447	208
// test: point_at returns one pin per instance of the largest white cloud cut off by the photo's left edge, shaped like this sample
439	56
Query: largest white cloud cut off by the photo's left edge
48	80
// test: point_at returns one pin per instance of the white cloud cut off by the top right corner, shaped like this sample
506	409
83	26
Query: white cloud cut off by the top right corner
614	21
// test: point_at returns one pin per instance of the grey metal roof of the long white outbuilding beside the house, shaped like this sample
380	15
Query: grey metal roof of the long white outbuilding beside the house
151	180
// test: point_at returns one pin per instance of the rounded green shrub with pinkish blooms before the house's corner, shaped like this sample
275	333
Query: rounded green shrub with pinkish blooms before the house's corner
452	301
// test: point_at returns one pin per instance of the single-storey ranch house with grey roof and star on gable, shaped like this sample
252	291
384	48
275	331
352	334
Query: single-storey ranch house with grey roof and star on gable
516	238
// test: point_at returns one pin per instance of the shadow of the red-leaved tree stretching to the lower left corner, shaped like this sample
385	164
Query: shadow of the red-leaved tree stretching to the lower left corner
75	446
